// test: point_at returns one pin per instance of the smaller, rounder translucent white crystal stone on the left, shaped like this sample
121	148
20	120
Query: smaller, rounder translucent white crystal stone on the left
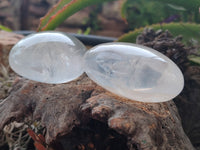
49	57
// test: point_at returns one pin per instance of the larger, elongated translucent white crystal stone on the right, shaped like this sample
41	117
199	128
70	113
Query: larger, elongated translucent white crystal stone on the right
135	72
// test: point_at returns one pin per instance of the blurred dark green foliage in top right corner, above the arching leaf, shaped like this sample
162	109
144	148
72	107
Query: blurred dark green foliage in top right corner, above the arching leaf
140	13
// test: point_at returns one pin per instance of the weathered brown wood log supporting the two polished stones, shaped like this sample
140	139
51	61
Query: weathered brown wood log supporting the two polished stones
63	107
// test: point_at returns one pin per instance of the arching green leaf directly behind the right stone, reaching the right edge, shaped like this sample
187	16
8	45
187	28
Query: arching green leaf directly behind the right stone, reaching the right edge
189	31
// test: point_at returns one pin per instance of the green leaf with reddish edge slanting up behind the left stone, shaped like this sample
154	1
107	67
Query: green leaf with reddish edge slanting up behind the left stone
62	10
